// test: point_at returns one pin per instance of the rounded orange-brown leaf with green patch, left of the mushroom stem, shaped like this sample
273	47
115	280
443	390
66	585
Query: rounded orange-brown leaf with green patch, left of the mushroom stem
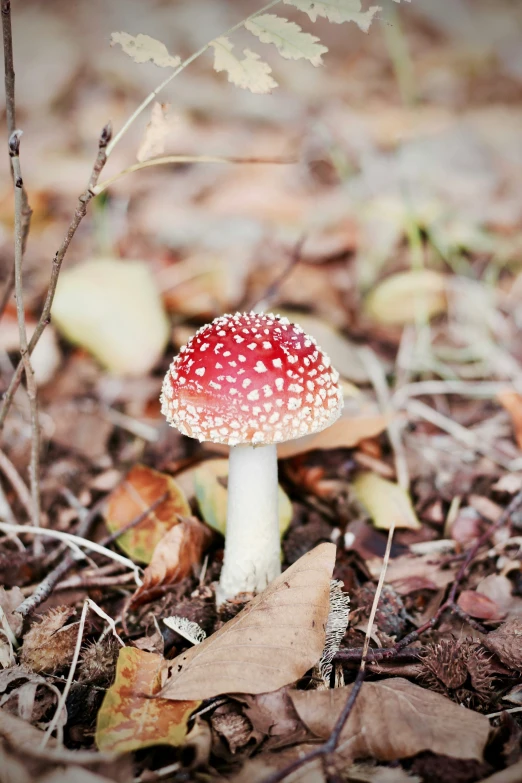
140	490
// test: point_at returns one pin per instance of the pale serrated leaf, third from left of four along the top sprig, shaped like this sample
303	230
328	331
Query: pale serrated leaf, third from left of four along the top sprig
290	40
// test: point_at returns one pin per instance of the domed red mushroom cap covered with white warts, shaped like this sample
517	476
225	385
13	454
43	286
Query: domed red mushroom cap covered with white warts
251	378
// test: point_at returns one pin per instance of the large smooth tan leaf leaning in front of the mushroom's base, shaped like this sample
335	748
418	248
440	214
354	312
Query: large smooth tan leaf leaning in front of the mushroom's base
272	642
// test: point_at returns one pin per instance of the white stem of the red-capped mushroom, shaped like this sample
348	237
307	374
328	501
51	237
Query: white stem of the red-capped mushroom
252	544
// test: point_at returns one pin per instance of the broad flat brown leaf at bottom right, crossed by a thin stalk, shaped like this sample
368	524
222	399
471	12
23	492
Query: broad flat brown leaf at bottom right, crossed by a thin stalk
394	719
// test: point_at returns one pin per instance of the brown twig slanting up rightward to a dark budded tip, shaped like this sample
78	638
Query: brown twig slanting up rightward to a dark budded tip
45	317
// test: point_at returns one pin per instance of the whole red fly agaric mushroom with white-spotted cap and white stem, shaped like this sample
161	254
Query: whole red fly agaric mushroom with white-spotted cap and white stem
251	381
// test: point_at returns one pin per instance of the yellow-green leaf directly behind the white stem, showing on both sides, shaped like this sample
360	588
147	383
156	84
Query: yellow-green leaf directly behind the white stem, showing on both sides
210	480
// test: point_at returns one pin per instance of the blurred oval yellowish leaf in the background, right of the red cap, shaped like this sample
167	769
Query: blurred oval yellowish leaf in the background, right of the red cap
403	298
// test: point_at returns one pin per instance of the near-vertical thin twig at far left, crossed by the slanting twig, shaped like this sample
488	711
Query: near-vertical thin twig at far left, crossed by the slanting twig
34	469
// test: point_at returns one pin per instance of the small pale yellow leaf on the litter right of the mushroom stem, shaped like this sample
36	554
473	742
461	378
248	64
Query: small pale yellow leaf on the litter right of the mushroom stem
386	502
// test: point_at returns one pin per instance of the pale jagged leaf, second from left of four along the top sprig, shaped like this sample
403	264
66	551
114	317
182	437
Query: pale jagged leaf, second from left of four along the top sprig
250	73
